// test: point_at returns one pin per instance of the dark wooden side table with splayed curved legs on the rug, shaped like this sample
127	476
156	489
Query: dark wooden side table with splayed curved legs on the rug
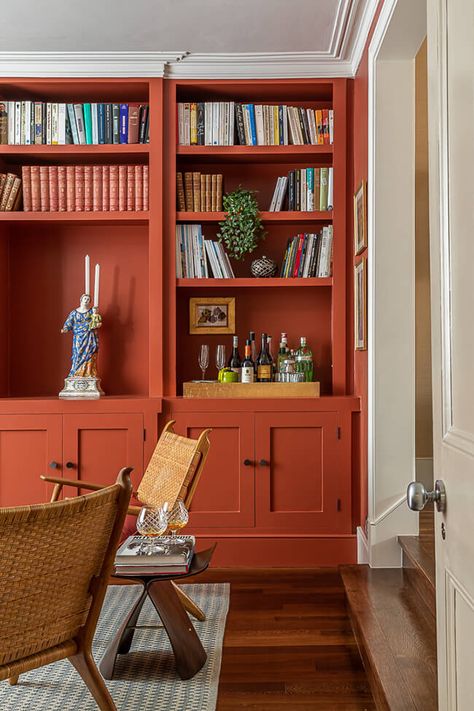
188	651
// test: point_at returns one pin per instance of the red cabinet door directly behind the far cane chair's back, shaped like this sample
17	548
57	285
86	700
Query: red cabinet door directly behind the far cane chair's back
225	495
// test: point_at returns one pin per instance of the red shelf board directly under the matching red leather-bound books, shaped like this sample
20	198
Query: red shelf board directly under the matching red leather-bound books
136	218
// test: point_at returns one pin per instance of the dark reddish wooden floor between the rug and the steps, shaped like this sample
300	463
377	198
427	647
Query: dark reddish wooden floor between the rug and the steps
288	643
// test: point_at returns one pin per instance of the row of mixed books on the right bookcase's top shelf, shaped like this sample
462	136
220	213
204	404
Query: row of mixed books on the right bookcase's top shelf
225	123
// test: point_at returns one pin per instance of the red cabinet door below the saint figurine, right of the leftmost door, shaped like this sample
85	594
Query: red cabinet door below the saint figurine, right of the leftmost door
96	447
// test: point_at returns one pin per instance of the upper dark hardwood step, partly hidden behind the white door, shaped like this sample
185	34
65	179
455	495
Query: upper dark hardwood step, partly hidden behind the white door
419	566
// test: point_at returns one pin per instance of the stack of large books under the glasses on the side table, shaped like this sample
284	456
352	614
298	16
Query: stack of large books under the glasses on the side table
167	557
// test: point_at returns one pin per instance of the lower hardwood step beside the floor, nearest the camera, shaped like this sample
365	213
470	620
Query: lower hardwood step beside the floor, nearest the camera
396	636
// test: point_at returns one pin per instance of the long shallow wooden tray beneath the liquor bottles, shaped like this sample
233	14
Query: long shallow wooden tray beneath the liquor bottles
250	390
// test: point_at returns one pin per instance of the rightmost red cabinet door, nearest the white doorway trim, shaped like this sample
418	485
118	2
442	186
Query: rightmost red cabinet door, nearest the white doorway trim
303	476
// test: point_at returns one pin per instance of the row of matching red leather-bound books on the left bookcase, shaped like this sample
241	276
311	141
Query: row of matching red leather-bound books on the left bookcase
85	188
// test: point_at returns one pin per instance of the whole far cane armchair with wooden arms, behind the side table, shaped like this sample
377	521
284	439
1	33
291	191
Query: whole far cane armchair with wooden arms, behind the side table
173	473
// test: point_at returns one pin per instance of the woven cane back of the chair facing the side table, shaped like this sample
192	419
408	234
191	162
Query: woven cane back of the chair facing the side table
174	469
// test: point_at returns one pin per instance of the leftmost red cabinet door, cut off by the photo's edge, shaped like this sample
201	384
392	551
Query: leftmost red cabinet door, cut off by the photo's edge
29	444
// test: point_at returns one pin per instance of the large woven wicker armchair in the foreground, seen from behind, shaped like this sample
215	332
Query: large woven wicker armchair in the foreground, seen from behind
55	563
